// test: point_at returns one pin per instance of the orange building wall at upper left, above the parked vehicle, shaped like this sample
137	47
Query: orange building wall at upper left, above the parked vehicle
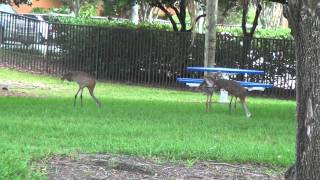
41	3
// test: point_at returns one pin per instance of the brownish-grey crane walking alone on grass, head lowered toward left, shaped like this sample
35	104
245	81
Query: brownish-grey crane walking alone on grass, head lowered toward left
84	80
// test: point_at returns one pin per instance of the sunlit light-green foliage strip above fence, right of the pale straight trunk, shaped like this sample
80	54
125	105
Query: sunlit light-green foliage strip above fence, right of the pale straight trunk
272	33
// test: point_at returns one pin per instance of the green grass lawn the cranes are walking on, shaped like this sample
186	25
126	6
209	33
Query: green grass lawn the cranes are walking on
139	121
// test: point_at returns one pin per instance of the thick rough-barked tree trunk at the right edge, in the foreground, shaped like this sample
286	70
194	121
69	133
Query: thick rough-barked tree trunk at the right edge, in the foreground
304	18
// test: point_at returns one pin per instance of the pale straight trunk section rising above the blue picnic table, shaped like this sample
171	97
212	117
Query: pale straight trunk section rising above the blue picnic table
210	36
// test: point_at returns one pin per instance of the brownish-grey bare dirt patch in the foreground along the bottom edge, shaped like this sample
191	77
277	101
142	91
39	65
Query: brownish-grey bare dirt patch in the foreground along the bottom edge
109	166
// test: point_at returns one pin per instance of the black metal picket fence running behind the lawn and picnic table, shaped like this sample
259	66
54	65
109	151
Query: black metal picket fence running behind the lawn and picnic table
135	56
